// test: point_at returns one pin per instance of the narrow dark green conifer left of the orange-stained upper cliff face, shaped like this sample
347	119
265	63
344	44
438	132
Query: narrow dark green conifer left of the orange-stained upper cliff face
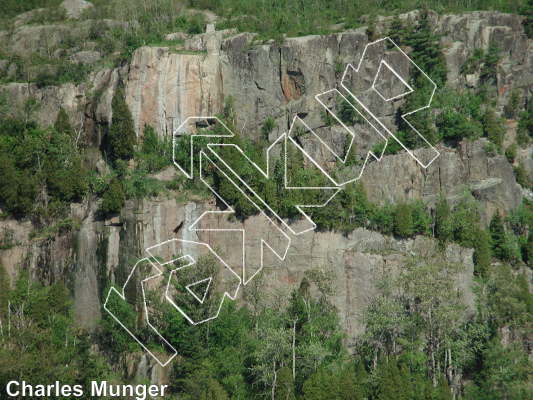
121	136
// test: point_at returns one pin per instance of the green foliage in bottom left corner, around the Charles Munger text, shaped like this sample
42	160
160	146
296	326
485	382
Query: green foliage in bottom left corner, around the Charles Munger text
42	343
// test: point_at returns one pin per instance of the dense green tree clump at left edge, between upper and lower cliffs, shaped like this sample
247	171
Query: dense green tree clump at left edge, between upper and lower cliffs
33	161
